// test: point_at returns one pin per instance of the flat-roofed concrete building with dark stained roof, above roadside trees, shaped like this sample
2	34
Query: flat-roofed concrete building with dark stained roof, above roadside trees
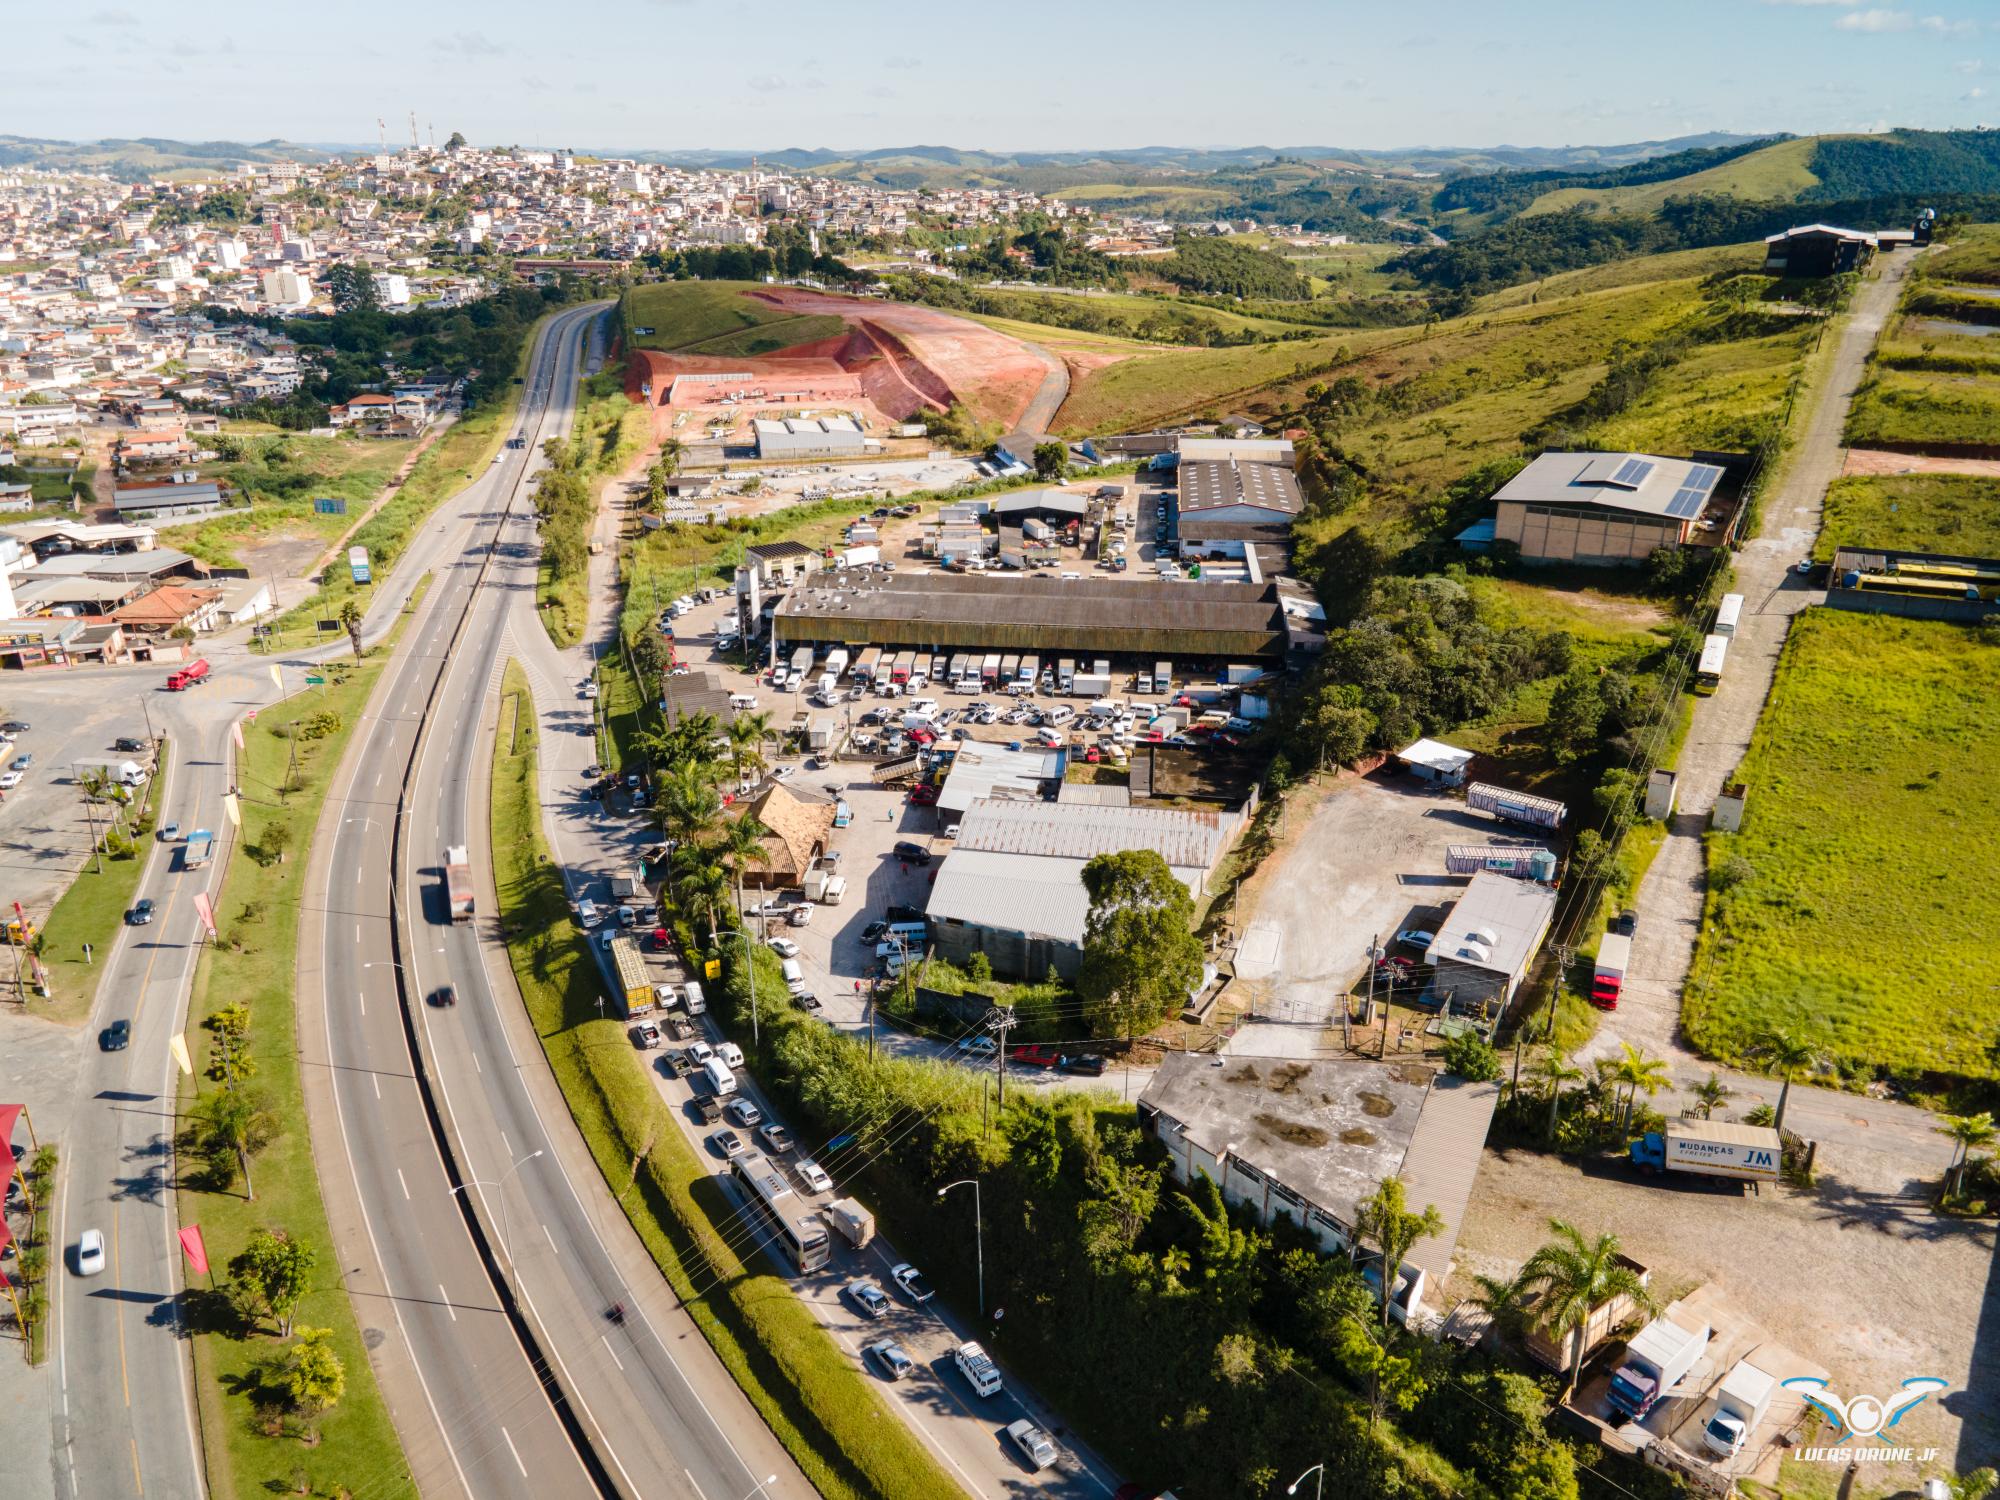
1313	1141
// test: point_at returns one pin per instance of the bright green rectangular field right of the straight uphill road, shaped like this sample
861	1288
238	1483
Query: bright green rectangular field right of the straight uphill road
1855	901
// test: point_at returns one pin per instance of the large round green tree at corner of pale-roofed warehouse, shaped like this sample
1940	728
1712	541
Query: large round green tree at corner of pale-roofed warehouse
1141	955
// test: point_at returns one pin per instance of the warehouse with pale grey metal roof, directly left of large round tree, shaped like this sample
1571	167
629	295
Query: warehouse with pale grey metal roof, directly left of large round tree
1013	885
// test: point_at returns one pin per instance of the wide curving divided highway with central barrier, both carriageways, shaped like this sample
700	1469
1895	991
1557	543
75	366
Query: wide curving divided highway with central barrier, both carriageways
639	1421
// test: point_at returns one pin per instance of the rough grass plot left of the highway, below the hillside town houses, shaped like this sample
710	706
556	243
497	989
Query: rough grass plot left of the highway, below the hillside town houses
281	477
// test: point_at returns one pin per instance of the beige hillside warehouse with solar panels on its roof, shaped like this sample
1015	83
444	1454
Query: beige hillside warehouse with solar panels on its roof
1613	509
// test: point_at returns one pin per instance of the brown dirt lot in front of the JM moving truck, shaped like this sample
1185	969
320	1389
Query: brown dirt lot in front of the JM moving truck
1871	1287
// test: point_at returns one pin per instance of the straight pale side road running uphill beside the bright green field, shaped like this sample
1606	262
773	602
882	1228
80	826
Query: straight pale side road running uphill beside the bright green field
1879	1141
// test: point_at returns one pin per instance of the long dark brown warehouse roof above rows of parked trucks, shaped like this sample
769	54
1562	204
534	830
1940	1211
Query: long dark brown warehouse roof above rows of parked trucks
1039	613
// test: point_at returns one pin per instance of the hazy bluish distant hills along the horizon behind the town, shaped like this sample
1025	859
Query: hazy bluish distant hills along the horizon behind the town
137	159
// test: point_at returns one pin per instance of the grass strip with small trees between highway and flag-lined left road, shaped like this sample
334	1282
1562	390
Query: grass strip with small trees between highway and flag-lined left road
253	965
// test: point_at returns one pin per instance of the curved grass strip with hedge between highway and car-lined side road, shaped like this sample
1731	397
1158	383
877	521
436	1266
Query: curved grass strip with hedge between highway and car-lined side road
815	1399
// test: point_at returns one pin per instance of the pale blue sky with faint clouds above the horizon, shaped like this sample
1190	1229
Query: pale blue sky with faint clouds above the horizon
1035	75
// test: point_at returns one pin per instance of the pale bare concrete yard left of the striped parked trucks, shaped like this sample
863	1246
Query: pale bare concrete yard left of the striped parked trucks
1365	865
